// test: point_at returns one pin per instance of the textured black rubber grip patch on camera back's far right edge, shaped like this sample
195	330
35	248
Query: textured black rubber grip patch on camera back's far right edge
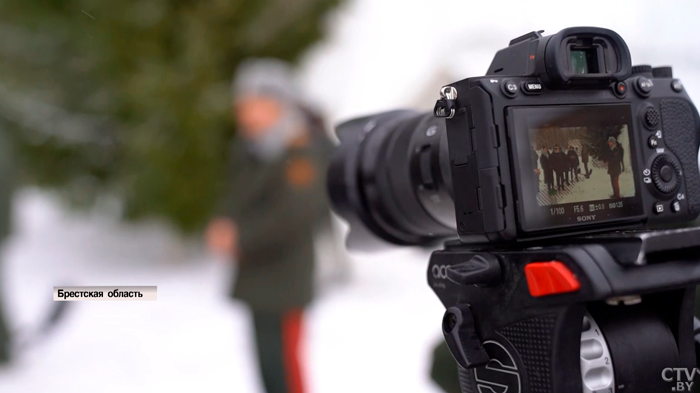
680	127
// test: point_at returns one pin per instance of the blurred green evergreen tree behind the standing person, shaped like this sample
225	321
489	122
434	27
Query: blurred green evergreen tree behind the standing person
132	97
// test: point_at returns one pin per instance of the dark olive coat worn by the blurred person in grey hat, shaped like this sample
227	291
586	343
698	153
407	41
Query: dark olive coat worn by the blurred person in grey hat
277	207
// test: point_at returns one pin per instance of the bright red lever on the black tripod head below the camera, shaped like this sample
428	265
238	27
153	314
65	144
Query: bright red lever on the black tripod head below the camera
550	278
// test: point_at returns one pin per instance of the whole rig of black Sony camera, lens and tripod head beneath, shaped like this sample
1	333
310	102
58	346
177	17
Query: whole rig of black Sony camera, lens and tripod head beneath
556	170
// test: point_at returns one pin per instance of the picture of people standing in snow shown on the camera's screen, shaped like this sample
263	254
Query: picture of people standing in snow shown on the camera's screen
581	164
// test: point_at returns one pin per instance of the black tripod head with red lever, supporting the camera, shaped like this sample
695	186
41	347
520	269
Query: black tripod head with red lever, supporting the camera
605	313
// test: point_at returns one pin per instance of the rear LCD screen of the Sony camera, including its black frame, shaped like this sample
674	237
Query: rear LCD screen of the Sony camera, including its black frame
576	165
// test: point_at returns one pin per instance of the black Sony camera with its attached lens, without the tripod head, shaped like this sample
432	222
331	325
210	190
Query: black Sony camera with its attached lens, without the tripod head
561	137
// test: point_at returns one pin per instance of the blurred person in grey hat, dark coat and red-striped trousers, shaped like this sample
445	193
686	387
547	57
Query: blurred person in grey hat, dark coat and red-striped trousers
275	202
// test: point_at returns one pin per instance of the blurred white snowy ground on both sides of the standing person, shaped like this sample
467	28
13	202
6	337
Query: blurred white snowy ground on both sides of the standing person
373	334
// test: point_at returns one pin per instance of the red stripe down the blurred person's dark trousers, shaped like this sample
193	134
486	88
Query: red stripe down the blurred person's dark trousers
291	335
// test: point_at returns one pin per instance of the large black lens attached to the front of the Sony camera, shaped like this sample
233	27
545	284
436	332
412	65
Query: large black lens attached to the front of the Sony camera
390	179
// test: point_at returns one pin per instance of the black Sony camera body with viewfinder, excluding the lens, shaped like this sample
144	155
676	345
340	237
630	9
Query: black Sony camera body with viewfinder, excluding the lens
576	91
